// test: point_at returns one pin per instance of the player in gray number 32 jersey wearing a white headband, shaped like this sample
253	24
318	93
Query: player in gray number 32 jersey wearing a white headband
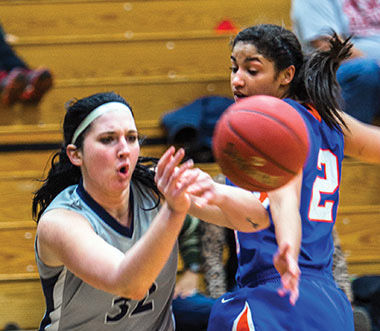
105	247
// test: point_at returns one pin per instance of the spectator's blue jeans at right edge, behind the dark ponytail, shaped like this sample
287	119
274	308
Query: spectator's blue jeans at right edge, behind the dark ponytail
360	82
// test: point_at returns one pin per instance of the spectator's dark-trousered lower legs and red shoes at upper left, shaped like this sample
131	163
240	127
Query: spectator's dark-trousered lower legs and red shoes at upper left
18	82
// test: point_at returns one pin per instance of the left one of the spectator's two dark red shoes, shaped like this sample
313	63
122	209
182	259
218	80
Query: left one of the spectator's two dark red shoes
12	86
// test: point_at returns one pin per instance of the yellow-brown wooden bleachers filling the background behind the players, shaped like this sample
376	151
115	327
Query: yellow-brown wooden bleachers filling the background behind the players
160	55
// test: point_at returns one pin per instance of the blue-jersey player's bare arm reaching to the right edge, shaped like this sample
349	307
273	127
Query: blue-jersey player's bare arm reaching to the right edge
361	141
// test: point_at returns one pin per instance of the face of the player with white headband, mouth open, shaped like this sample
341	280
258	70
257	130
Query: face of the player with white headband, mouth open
110	151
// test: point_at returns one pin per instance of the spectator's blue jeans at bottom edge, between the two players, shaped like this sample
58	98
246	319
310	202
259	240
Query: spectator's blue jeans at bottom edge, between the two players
192	313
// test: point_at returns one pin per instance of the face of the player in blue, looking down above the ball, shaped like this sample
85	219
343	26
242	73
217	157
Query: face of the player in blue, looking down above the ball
253	74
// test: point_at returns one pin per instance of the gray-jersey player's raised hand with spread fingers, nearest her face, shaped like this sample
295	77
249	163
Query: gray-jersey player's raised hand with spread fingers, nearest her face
171	183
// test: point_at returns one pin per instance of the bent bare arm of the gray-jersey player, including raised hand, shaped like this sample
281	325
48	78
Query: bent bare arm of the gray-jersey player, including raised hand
66	238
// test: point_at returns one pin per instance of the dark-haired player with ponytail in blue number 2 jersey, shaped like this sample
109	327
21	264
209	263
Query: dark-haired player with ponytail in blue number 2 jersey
284	240
